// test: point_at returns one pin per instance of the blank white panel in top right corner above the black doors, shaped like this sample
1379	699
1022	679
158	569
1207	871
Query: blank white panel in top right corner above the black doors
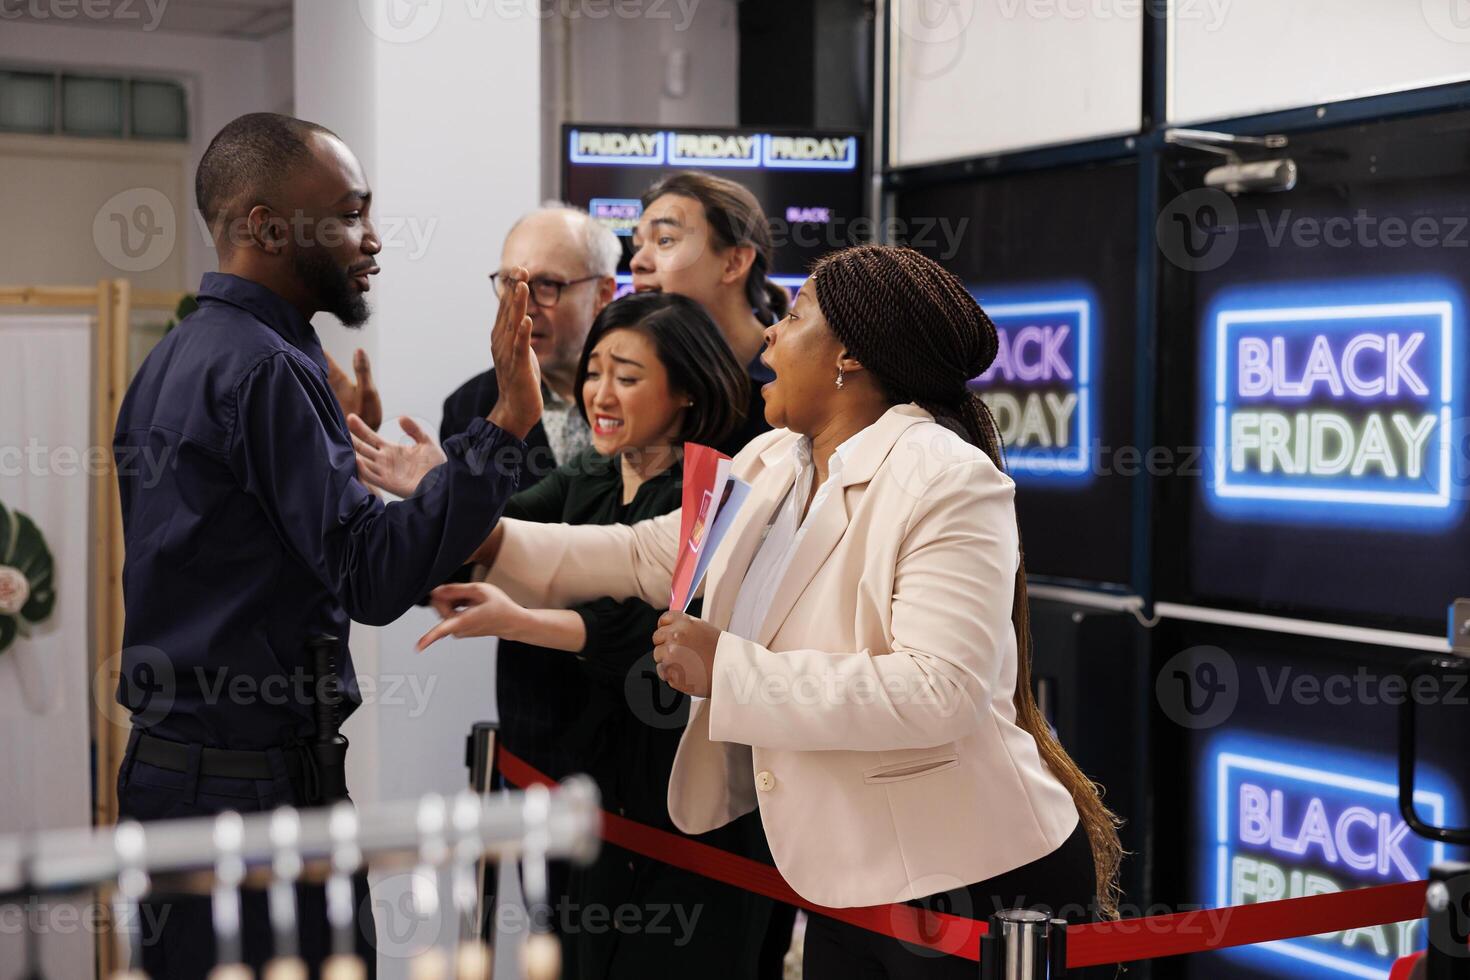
1265	55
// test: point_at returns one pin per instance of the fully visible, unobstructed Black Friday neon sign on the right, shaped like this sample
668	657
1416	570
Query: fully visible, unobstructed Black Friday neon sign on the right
1334	403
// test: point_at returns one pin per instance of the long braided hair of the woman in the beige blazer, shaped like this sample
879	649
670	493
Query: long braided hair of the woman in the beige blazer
924	337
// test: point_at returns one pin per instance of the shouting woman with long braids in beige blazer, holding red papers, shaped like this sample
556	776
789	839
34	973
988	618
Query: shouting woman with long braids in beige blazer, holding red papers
865	652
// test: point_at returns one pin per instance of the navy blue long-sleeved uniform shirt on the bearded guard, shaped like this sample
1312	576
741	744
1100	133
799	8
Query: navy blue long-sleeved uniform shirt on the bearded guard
248	530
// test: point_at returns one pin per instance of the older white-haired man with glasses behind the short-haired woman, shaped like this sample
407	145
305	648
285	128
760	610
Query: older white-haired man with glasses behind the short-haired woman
571	261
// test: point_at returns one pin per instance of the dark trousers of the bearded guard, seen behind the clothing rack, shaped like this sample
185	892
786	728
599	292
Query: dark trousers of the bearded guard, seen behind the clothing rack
179	931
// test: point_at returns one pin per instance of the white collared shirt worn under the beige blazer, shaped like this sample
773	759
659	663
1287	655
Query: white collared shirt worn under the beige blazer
784	537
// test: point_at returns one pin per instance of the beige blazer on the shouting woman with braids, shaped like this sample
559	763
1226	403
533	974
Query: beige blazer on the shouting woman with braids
871	721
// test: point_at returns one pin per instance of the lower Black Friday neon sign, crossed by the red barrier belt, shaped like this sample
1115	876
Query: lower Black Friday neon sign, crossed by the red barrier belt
1288	829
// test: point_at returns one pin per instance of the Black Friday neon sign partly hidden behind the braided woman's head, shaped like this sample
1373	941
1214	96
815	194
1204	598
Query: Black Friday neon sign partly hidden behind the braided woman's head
1041	387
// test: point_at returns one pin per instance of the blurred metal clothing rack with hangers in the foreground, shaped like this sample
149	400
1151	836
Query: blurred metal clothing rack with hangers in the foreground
224	853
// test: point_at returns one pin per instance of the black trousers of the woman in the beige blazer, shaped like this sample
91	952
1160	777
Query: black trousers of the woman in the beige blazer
1062	884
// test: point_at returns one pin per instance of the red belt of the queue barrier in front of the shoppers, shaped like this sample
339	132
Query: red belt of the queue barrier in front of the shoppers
1089	945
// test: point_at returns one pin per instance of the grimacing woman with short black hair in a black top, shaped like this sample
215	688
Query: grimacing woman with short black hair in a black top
655	374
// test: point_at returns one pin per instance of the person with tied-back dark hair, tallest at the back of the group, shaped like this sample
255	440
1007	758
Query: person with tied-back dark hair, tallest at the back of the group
708	239
